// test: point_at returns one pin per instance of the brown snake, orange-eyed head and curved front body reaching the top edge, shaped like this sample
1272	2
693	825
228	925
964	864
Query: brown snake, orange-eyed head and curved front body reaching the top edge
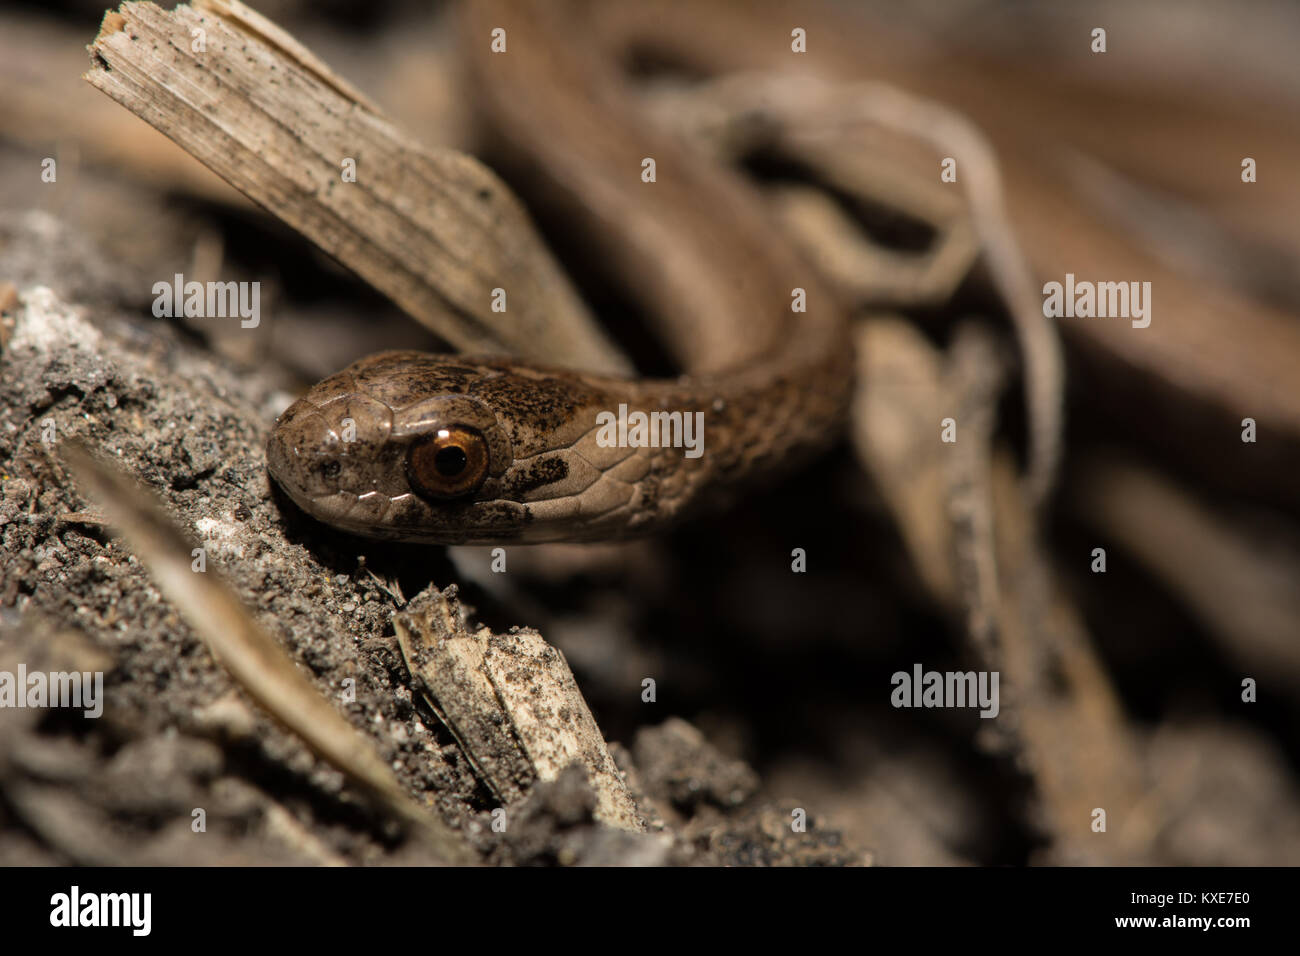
479	449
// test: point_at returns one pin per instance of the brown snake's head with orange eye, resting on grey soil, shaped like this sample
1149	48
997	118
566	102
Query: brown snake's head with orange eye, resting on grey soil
445	451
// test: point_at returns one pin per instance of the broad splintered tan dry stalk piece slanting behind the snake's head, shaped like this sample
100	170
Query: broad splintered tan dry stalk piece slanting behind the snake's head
434	230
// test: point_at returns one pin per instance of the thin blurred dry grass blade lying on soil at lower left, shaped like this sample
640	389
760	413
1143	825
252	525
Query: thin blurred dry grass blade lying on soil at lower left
245	650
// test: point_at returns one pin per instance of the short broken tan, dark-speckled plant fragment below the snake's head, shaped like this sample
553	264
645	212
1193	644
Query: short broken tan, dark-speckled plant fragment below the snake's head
512	703
